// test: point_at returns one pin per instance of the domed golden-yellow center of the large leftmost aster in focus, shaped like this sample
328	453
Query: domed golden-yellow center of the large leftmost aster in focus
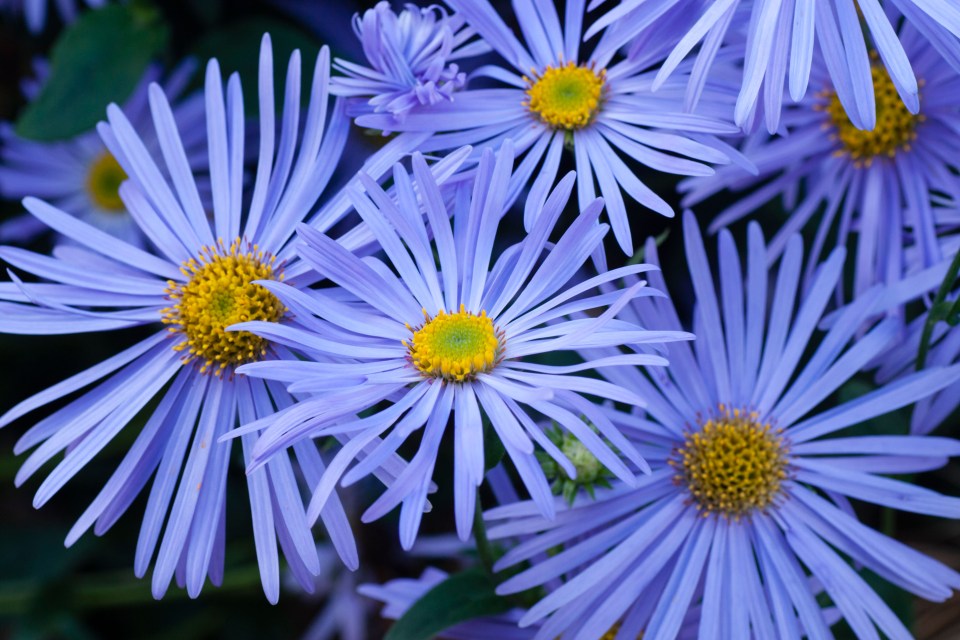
220	292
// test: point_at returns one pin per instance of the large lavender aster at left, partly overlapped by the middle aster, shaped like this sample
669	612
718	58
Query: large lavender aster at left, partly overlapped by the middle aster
200	280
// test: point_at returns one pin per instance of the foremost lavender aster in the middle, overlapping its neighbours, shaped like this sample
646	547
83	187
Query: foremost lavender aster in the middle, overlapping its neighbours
451	341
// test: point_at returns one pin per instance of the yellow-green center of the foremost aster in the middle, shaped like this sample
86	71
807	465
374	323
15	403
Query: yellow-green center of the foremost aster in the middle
455	346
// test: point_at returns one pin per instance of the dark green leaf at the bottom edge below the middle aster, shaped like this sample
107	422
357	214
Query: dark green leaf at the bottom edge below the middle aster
461	597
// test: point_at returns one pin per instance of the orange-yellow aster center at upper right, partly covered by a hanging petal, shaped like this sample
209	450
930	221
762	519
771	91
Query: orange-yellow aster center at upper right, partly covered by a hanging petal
895	129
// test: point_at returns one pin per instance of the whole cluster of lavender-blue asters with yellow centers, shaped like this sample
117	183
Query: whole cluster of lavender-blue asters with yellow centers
691	484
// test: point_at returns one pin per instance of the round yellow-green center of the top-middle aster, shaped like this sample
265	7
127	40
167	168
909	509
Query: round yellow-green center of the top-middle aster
567	96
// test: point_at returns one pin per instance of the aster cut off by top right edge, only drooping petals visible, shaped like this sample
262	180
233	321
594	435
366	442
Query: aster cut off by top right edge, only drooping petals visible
780	39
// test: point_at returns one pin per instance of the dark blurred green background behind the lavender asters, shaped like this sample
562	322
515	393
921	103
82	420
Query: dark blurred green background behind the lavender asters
89	591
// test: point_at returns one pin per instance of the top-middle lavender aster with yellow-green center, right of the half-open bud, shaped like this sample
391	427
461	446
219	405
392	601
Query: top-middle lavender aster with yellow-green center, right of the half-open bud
551	97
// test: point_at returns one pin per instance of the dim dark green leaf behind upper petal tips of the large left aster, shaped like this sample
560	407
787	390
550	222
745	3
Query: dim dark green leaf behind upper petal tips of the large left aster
237	48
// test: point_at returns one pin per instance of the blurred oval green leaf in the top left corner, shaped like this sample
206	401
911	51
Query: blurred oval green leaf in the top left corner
98	60
